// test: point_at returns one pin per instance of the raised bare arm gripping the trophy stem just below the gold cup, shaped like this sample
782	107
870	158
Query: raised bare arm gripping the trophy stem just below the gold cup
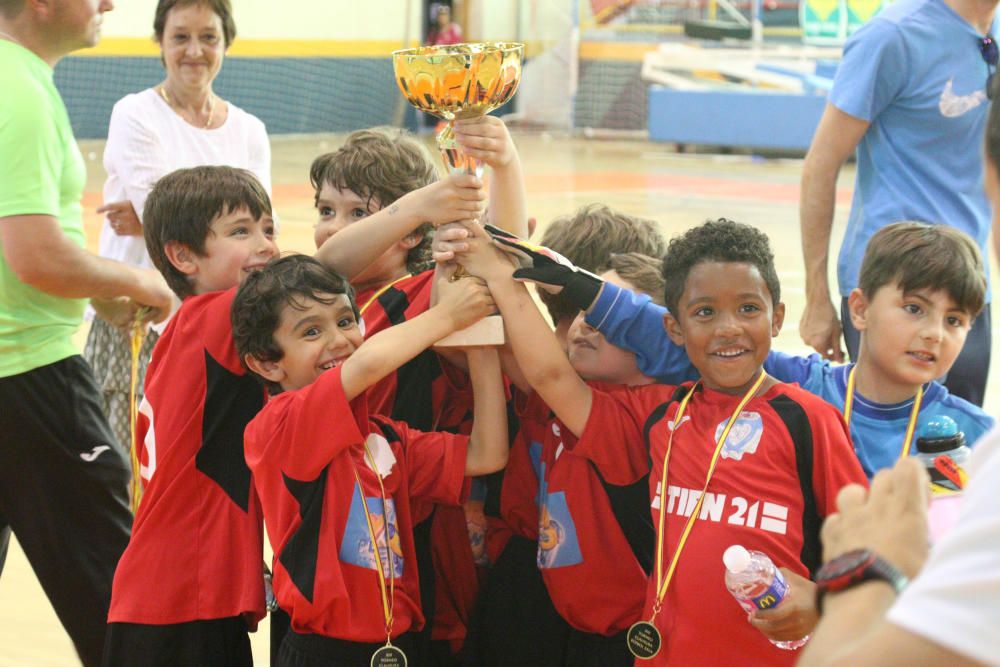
487	139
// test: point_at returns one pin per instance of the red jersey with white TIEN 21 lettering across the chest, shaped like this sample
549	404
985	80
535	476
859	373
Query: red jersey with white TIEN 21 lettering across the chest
778	475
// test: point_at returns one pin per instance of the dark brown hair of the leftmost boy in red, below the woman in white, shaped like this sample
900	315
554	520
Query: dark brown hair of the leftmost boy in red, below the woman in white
182	205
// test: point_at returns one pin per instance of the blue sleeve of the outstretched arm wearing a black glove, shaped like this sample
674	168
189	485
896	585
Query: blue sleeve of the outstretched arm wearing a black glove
633	322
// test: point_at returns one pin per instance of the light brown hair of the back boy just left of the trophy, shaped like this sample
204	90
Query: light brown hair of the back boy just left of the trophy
380	165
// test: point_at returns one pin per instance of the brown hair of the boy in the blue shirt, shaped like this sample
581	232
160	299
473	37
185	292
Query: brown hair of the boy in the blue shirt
917	255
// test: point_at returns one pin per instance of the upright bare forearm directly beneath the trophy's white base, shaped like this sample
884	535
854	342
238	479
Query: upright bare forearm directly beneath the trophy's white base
488	445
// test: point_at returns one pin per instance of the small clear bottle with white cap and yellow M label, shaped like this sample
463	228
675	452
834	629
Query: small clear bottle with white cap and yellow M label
756	583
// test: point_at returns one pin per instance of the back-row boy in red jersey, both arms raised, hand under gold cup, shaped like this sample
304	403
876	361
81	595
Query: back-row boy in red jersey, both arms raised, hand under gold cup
366	233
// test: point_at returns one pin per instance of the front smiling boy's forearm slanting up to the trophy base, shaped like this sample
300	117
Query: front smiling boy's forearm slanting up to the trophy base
461	303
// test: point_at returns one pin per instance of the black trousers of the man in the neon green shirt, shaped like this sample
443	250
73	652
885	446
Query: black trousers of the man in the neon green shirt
64	493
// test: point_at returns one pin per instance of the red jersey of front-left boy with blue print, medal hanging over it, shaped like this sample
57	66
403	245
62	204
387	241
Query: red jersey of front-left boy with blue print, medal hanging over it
305	448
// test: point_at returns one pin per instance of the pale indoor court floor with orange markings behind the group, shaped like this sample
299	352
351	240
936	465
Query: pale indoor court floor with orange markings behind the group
678	190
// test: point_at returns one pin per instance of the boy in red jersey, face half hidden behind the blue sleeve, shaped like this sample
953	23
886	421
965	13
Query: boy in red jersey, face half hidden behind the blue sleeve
546	491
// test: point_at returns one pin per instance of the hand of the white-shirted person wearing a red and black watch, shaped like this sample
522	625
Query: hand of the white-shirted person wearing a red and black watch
890	518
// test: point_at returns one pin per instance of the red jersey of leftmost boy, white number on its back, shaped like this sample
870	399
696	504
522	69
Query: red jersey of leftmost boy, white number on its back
196	551
